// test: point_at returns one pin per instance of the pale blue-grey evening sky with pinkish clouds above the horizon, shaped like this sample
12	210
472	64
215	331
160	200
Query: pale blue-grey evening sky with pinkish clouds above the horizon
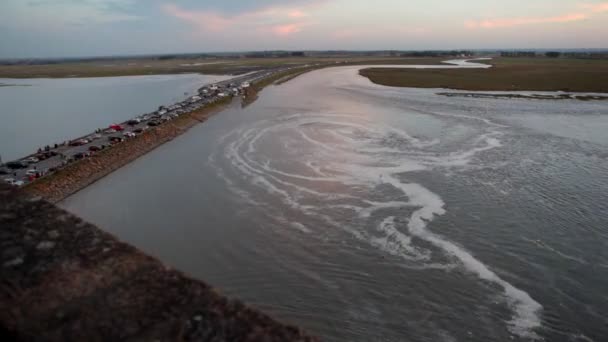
66	28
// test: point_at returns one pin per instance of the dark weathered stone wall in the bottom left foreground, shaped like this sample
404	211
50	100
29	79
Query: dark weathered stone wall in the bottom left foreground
62	279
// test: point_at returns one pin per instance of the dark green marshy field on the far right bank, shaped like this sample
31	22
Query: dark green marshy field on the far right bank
536	74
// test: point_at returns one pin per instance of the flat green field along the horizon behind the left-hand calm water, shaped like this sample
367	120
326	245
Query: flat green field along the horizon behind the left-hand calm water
150	66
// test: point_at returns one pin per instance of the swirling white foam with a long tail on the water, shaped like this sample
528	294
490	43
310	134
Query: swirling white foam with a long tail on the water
341	150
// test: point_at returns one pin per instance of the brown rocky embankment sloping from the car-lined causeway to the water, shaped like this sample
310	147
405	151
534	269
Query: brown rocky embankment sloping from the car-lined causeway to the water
76	176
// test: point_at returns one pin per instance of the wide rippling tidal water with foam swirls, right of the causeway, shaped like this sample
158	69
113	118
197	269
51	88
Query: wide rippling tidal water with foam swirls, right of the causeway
367	213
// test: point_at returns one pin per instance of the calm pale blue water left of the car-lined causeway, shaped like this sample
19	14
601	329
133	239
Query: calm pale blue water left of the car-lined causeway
37	112
